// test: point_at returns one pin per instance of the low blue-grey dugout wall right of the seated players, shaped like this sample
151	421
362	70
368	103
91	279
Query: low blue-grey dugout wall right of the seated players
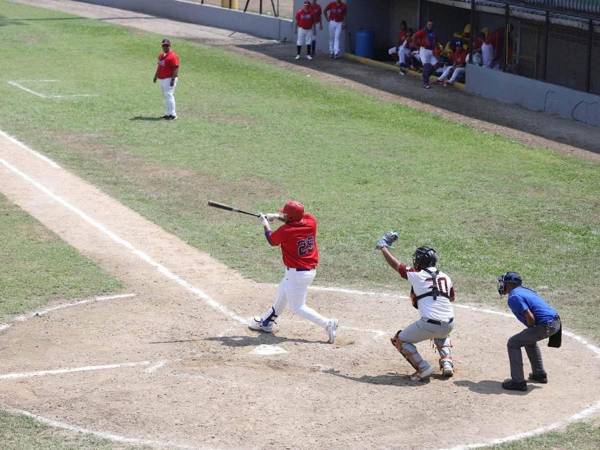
533	94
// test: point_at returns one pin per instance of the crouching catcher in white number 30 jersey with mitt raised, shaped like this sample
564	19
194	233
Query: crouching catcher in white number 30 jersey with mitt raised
431	293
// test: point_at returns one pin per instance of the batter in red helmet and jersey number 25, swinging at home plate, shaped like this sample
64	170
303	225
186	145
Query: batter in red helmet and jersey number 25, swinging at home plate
297	238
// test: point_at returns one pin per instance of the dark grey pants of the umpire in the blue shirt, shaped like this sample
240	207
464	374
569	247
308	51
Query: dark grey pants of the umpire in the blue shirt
529	338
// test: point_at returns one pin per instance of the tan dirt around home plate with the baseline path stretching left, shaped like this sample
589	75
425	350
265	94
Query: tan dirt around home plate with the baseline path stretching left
183	370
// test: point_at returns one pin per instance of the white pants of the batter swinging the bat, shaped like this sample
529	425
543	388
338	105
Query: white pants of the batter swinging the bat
293	290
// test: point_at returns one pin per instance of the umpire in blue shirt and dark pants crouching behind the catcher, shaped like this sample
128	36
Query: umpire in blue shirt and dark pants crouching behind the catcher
541	320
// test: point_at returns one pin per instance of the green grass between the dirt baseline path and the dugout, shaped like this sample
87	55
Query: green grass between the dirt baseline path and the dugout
254	135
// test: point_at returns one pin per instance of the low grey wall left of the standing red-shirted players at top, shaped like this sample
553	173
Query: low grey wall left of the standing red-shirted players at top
255	24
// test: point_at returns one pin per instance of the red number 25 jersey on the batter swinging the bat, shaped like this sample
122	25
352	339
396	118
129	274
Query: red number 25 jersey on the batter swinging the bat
298	241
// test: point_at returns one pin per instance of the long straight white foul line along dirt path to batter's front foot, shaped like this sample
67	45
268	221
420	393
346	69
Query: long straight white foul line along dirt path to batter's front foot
119	240
